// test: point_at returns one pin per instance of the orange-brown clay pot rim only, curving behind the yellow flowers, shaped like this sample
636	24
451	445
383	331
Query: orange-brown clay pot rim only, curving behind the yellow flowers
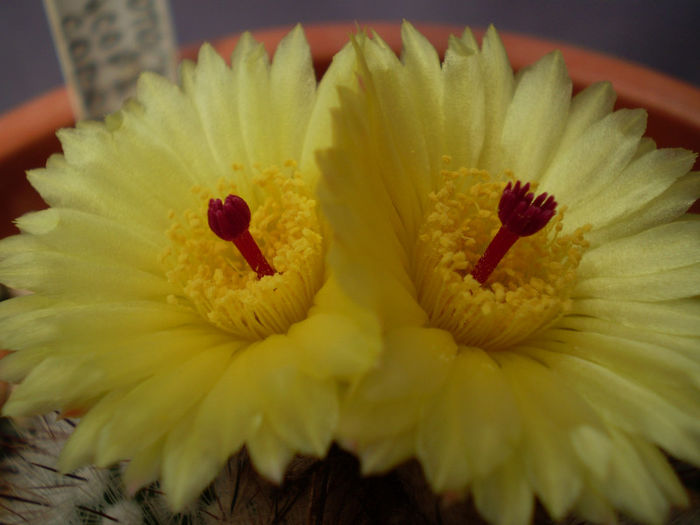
656	92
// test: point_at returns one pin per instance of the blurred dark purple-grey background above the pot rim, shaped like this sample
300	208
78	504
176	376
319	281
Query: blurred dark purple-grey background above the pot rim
661	35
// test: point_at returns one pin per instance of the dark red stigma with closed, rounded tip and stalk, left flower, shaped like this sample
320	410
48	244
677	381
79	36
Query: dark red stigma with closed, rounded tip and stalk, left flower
230	221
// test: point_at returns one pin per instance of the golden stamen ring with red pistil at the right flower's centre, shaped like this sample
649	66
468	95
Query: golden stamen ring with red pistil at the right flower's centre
478	283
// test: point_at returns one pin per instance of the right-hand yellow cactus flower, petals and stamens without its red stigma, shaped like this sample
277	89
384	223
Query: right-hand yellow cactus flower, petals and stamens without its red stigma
578	358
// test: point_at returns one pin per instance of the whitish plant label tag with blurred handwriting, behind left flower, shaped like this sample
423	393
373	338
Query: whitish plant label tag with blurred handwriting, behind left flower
104	45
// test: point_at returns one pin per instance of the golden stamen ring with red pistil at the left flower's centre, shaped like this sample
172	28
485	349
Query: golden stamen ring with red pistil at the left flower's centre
216	276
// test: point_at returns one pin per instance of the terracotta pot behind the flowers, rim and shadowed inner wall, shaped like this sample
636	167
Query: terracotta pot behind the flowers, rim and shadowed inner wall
27	134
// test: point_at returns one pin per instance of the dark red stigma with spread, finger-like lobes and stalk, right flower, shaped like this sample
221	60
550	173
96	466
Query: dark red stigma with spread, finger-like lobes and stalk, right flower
521	214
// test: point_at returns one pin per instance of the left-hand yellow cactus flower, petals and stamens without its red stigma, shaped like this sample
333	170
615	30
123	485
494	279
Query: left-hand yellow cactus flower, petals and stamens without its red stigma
151	325
